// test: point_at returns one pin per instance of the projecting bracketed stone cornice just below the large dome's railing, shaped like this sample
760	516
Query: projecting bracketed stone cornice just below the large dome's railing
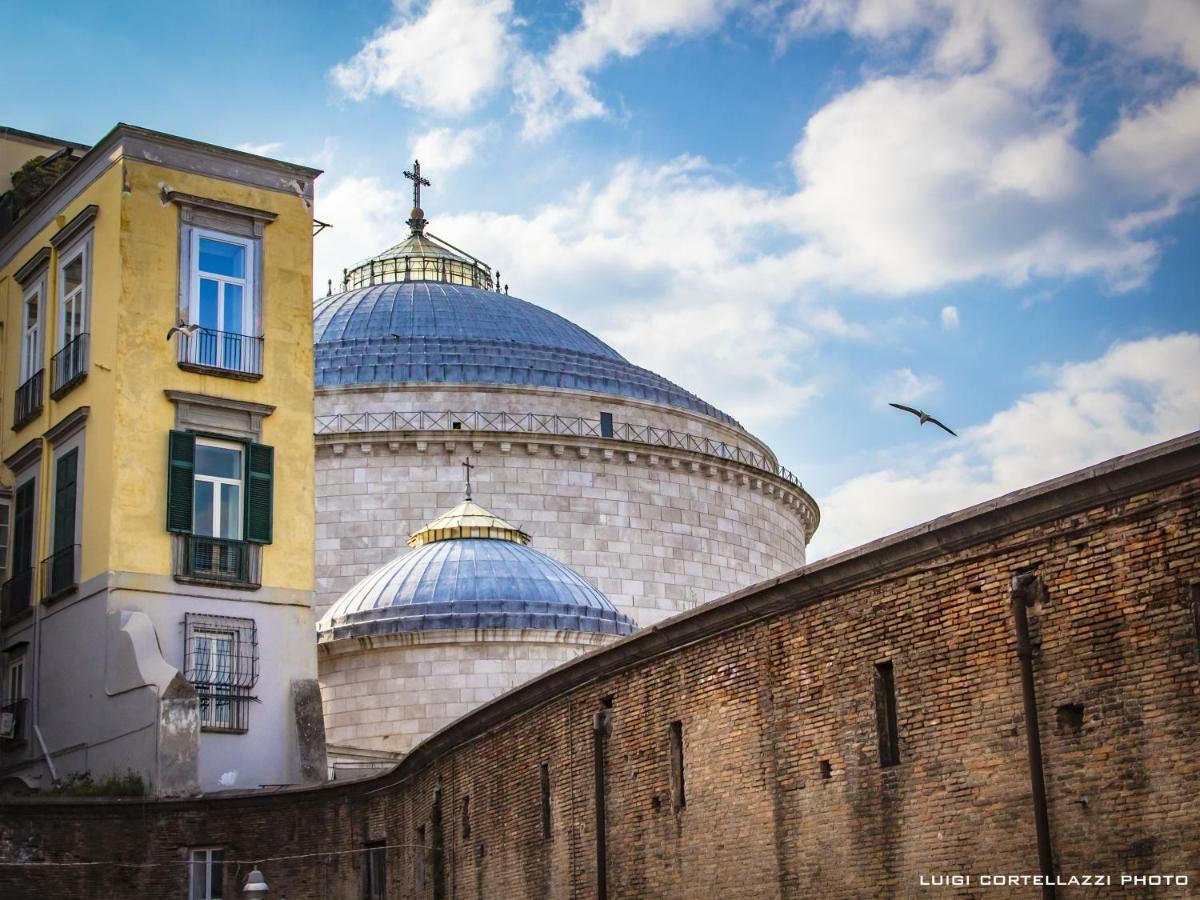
791	496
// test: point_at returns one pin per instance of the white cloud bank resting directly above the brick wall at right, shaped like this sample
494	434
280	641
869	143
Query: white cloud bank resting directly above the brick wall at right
1137	394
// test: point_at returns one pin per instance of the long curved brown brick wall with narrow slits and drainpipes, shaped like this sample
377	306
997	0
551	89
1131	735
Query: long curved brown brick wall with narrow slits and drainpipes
769	685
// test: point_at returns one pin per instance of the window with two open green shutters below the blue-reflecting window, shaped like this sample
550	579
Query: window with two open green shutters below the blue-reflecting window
219	497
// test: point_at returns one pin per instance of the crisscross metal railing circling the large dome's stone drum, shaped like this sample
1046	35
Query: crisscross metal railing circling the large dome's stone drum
547	424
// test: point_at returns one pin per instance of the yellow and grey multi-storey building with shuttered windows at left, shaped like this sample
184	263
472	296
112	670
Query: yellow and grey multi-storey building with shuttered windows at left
157	496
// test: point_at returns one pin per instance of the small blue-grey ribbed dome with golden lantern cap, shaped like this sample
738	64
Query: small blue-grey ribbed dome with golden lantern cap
454	581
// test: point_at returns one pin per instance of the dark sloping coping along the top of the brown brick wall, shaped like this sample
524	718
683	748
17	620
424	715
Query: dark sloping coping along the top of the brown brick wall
1118	479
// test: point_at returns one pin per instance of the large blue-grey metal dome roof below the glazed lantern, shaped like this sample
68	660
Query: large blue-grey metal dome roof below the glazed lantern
431	332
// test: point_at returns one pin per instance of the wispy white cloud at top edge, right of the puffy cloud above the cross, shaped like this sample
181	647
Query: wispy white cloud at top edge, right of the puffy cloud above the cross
556	91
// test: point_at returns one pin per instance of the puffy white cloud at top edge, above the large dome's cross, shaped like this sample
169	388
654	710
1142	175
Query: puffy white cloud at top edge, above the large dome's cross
443	56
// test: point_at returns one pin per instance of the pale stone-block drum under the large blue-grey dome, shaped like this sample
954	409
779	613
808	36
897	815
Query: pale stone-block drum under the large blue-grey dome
657	530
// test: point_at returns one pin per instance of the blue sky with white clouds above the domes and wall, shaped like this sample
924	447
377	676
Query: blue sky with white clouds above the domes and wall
801	211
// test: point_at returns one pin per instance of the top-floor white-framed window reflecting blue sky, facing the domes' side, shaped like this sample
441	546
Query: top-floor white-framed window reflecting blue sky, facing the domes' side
223	304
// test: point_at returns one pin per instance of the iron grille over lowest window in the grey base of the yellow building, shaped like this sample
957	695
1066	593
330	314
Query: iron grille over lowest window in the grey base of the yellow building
221	663
